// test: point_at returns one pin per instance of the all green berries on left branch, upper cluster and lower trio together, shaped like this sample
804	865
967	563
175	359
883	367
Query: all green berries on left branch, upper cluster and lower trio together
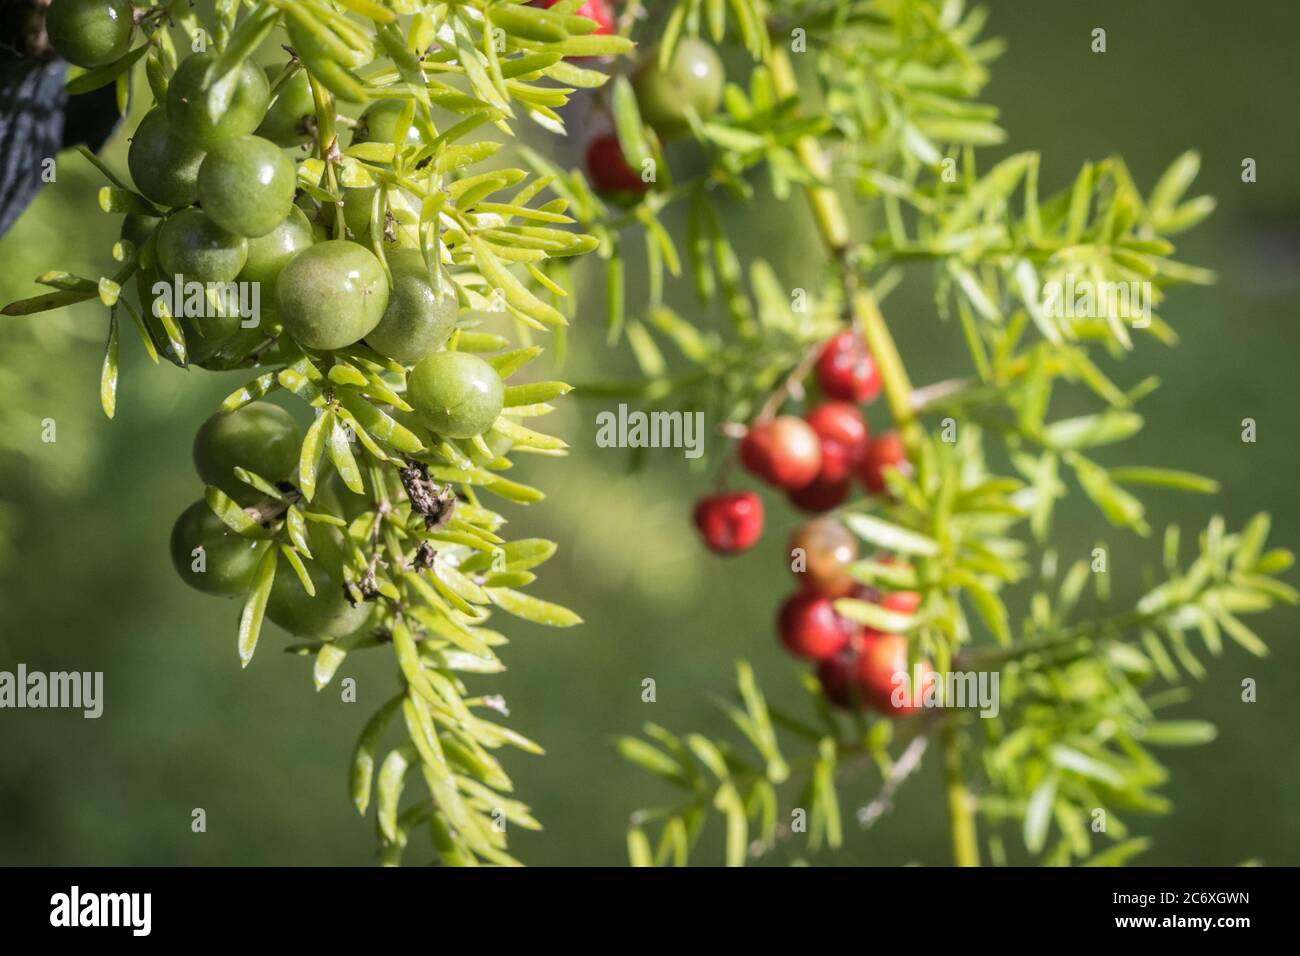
218	161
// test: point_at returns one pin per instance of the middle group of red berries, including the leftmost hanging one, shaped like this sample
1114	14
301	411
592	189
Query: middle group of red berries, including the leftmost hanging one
813	460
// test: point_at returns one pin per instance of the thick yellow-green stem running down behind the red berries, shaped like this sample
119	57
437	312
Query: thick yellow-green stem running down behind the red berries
833	226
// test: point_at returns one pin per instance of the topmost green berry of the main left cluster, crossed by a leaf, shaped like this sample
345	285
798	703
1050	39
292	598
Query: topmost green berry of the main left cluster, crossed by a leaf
231	109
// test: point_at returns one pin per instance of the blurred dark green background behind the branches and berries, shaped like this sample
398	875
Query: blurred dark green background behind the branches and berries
86	583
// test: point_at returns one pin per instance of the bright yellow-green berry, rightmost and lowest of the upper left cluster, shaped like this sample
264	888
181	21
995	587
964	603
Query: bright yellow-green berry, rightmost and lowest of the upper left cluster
457	393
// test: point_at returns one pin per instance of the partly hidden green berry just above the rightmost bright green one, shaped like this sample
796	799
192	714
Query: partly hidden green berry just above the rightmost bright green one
418	321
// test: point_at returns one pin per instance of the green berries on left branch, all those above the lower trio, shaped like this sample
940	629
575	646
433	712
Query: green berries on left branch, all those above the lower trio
216	159
